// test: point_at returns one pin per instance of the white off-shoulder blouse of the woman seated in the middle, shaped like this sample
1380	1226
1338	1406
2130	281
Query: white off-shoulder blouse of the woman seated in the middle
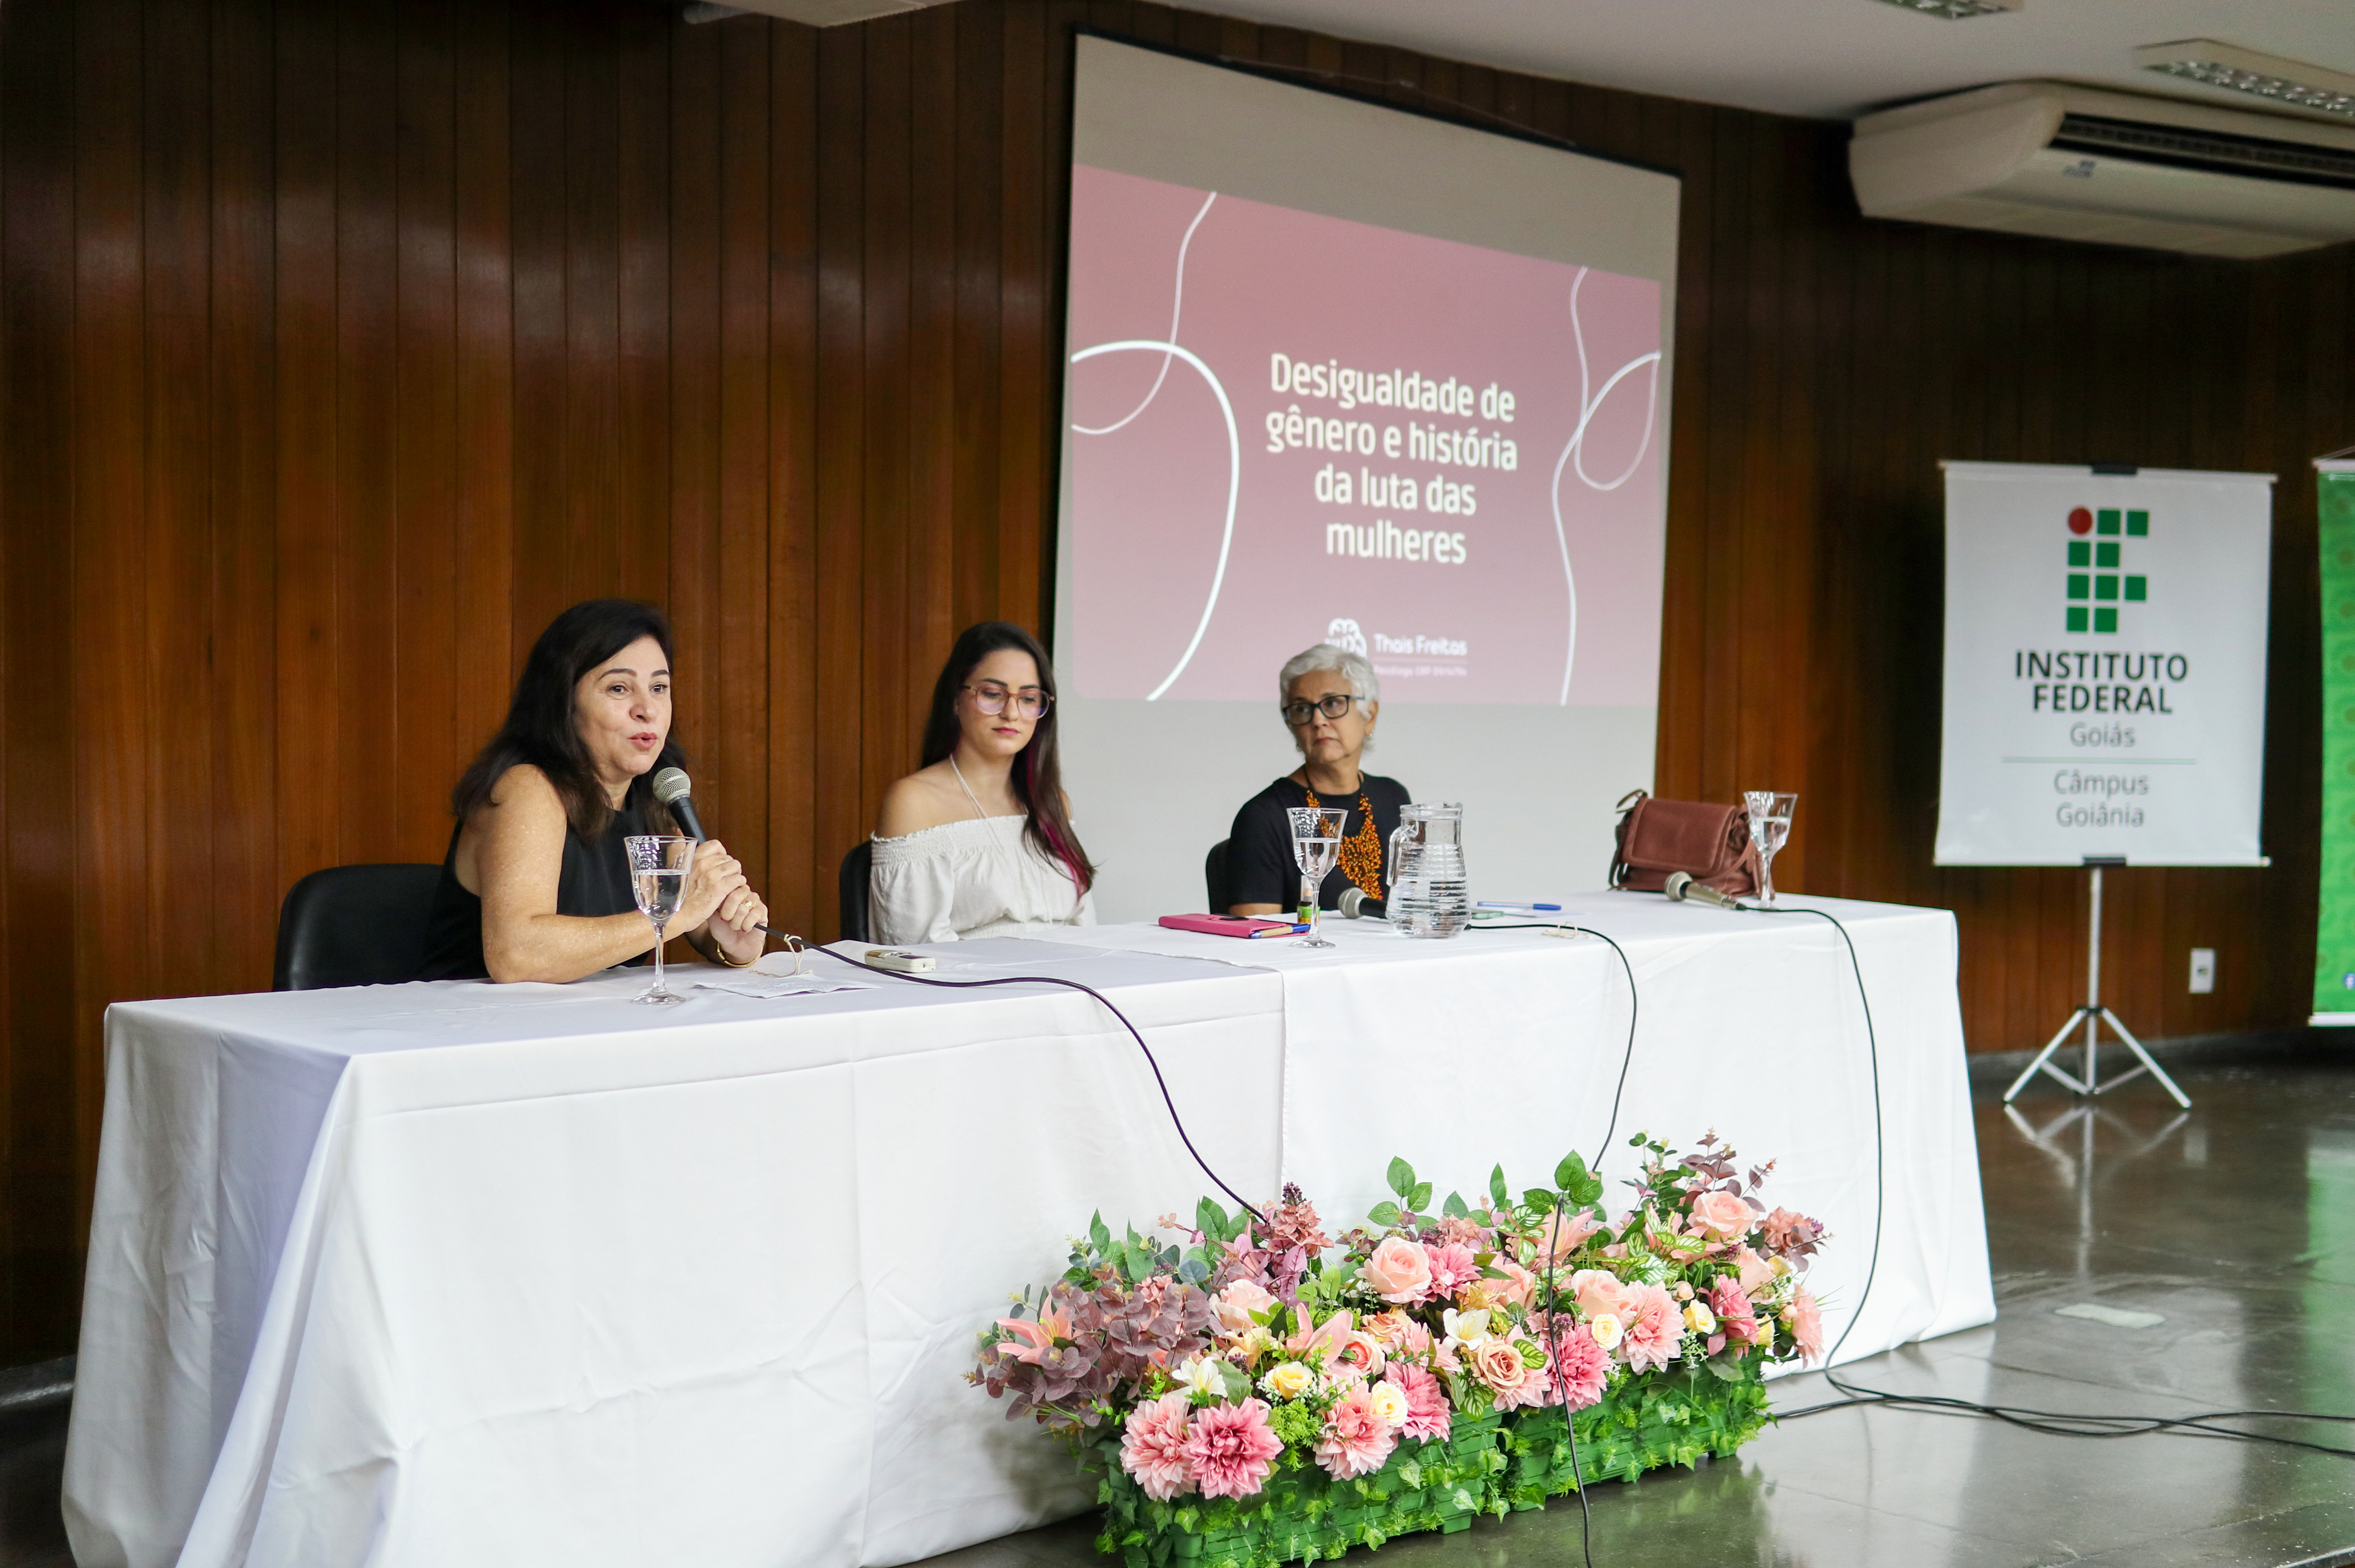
969	879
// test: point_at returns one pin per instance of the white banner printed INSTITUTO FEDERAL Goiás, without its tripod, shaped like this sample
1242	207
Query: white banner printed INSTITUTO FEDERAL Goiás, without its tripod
2107	667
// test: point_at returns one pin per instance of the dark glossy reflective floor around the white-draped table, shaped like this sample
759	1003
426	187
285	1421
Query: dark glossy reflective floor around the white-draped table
2234	1225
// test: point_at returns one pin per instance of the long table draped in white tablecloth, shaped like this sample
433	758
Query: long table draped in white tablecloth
456	1275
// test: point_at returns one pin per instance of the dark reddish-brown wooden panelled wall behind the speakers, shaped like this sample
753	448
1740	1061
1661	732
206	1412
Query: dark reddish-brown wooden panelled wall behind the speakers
343	343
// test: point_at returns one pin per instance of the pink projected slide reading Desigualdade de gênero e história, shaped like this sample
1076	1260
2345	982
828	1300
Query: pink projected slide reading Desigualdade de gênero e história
1292	427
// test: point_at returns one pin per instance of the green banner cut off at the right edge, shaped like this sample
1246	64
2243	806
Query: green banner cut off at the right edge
2335	936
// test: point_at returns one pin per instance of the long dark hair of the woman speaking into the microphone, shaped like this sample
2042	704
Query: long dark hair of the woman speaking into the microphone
540	726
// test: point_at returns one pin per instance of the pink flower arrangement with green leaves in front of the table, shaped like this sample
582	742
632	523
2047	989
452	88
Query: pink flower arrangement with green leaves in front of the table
1259	1390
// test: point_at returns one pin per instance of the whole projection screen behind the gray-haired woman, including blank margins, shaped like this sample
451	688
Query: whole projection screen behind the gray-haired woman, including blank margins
1344	373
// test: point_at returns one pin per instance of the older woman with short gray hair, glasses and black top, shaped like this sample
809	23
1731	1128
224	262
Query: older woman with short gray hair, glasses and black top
1332	703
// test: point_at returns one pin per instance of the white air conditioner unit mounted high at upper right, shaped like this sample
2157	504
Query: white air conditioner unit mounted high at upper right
2114	168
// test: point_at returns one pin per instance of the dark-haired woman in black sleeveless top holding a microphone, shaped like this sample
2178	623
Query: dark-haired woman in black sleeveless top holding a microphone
536	882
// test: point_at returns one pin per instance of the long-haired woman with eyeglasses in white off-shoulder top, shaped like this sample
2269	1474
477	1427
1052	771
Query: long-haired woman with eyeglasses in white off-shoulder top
979	842
